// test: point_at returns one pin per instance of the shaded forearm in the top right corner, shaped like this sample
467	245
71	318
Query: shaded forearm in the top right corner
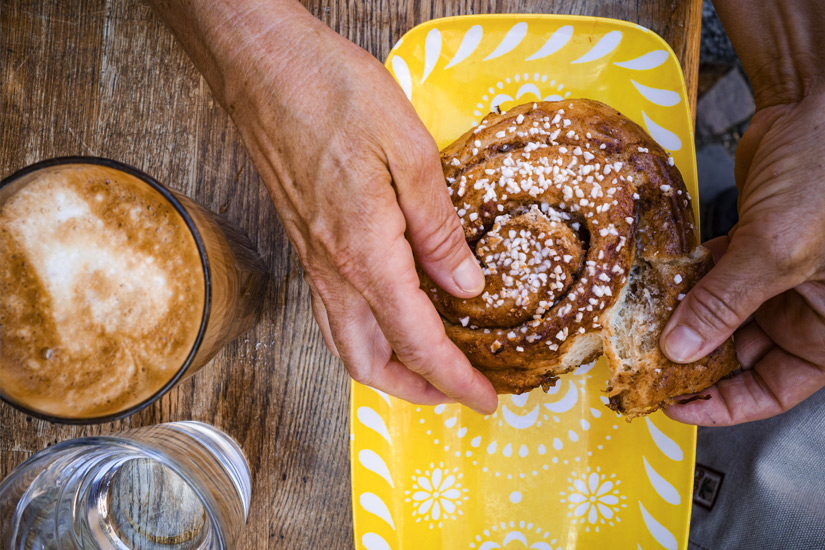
781	44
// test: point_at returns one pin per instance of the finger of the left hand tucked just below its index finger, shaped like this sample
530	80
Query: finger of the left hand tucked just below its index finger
367	355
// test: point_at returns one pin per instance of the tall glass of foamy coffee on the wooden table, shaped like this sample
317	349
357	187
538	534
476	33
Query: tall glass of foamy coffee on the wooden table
113	288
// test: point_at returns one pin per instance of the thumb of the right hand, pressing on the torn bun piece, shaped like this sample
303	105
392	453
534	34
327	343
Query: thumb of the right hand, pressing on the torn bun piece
721	301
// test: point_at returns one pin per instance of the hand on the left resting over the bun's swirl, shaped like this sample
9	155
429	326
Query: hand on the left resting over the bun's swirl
357	182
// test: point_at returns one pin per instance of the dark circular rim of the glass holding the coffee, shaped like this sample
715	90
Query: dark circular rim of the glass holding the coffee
169	196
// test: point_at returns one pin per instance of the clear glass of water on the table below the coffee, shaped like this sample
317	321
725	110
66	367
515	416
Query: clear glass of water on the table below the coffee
174	486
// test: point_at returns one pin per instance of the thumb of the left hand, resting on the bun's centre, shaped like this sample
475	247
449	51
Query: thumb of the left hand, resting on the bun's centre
433	228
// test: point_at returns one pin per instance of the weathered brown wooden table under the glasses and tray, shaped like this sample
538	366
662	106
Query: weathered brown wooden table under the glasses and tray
106	78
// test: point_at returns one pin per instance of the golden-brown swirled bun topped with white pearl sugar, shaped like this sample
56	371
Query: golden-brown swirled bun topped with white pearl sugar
584	229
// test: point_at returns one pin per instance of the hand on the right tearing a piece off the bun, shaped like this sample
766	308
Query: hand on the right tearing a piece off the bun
769	282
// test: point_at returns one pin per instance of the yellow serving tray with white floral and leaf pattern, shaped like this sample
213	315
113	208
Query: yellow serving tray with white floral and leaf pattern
549	470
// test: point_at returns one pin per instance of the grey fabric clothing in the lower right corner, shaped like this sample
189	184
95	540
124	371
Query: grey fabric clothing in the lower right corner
773	492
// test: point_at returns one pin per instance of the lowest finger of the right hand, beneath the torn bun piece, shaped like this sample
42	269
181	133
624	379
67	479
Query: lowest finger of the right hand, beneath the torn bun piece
776	383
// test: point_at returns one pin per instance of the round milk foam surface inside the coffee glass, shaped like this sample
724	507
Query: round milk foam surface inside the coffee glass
101	292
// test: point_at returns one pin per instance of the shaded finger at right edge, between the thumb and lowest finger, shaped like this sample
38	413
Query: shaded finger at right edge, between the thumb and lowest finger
794	320
